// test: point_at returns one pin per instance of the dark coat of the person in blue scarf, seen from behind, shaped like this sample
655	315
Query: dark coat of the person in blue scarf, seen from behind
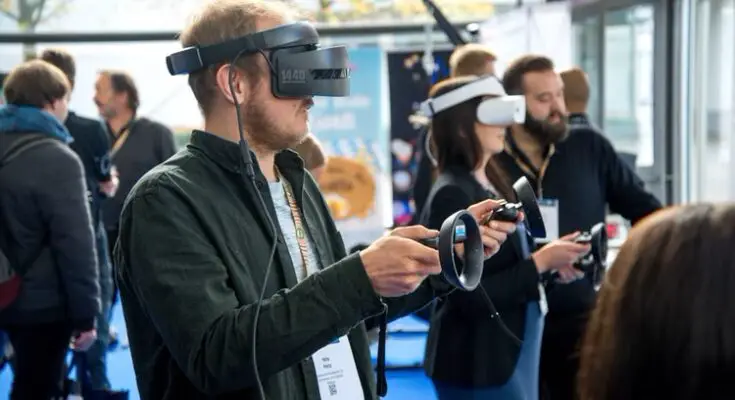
45	216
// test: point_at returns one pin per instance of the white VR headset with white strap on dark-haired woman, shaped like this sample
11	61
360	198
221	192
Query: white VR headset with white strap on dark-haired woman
502	110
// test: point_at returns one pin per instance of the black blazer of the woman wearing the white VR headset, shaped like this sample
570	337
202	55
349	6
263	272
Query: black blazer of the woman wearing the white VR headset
466	347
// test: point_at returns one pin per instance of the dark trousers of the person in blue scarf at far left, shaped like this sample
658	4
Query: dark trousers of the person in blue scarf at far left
39	359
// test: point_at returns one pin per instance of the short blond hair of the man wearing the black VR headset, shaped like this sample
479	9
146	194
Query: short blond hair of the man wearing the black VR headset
223	20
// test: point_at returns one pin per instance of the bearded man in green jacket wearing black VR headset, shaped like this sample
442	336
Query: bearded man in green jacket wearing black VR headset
230	266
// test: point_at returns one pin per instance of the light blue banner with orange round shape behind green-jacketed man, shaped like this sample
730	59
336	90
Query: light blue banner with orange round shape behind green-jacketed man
354	133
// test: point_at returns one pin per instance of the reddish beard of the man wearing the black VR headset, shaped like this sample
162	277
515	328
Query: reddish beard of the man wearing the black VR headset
267	133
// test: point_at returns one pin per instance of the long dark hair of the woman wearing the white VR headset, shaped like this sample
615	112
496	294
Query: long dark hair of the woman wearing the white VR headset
453	137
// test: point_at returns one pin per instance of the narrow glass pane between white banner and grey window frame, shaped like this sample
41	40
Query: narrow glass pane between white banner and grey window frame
587	57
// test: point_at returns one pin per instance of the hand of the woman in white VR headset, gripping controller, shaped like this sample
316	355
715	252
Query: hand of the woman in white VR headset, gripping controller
560	255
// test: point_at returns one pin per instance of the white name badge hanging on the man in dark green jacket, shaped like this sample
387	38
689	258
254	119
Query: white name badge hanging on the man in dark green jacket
336	372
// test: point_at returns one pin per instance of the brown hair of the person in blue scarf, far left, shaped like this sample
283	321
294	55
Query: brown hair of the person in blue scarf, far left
35	83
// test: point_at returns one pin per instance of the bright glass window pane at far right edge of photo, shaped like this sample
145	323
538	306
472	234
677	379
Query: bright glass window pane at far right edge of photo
713	101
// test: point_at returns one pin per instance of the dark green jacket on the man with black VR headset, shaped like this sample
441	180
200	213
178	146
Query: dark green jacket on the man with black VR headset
193	249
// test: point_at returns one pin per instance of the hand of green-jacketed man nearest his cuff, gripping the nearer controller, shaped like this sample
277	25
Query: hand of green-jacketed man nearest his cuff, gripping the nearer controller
397	263
